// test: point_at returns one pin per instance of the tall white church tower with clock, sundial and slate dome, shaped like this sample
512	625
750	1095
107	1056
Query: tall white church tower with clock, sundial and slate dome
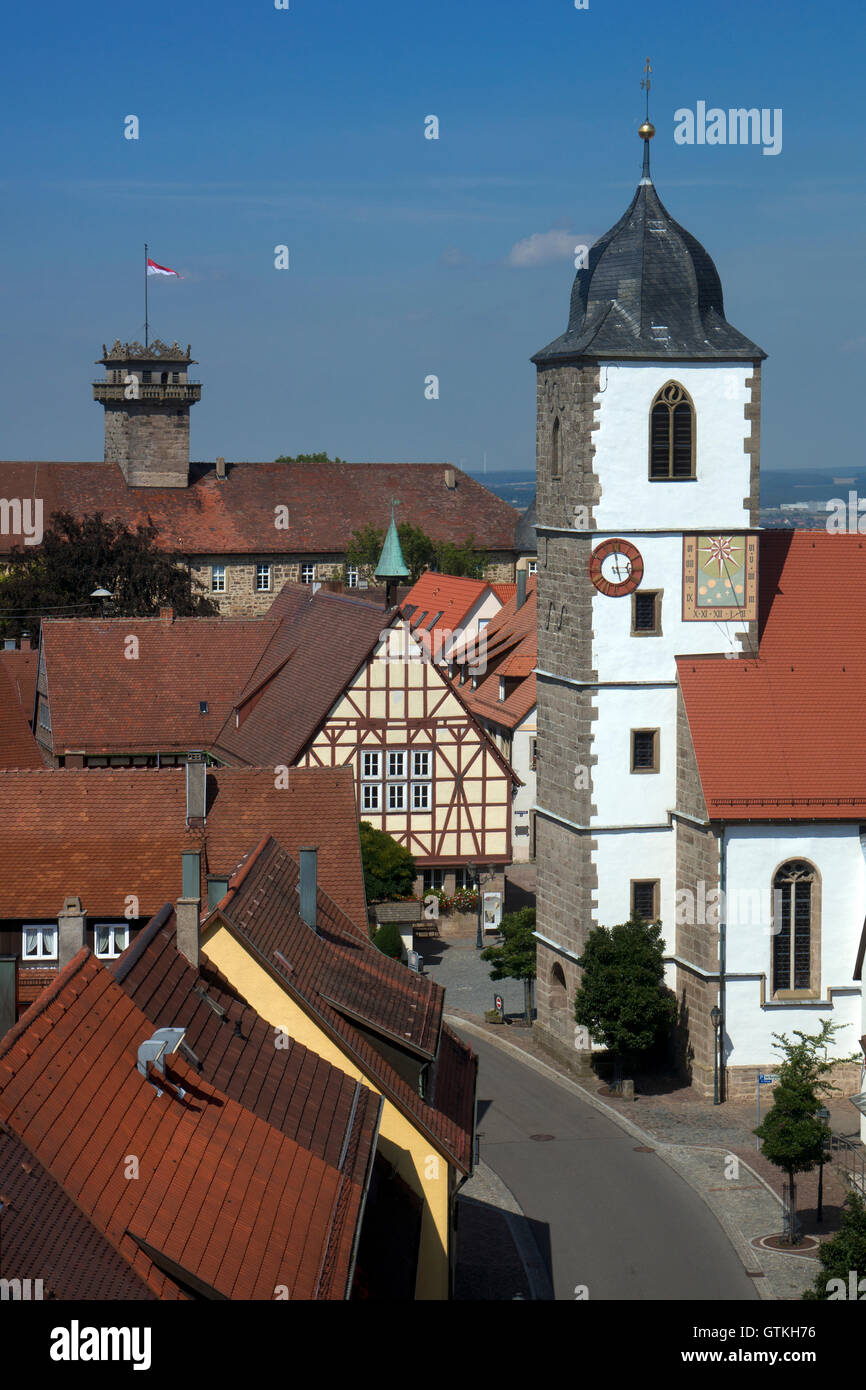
648	491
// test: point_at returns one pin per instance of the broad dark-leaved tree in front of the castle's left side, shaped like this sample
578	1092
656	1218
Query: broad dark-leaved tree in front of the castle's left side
79	557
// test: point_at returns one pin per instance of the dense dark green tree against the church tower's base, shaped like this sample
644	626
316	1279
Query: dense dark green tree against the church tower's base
623	1000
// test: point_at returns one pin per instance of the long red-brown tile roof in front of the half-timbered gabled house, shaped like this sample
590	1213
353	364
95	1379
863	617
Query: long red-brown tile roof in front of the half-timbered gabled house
105	835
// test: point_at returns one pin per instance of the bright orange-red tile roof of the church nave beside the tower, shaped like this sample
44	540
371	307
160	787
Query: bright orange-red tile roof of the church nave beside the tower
778	737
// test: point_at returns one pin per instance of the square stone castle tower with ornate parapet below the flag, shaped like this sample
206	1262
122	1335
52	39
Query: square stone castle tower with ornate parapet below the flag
148	397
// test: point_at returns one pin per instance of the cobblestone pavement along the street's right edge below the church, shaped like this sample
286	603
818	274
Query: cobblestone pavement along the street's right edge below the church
700	1142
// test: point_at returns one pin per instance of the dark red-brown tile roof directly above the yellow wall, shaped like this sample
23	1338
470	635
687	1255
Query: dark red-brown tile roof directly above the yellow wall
325	974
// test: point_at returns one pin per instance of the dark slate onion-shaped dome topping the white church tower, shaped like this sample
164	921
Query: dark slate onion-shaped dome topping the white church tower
650	291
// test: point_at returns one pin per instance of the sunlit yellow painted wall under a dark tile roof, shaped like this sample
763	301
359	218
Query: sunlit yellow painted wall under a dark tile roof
418	1163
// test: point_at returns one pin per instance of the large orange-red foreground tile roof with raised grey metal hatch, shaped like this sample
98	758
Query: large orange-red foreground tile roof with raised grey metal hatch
226	1204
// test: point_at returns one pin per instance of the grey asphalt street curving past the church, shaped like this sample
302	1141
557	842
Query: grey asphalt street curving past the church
618	1221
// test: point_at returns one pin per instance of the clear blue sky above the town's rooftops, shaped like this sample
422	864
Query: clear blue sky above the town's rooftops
305	127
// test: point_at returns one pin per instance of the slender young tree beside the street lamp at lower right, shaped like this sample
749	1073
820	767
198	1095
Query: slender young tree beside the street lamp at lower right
793	1136
